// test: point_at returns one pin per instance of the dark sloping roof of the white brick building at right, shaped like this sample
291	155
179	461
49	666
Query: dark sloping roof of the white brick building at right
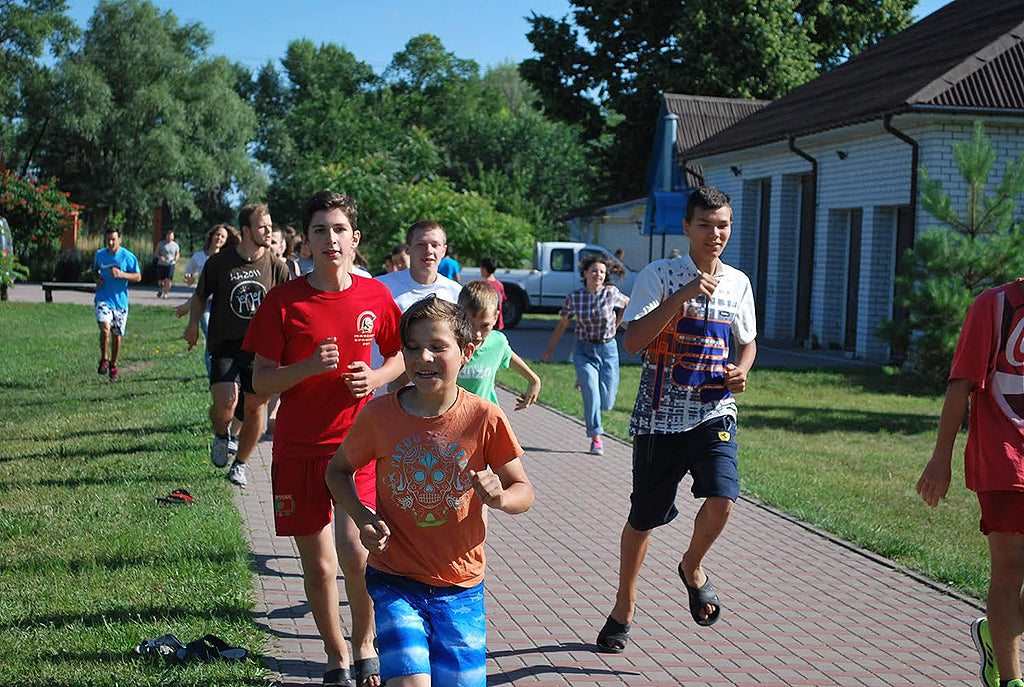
967	55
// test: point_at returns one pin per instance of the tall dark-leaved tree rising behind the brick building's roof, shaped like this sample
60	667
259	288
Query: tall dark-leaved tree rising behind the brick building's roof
620	57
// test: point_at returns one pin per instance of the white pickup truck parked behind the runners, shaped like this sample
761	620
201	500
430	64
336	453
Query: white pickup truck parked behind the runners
556	275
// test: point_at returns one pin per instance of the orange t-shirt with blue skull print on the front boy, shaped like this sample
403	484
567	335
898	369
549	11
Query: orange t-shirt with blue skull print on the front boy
424	492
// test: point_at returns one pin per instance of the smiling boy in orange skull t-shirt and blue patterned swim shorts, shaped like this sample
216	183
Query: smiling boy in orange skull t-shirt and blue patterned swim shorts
442	454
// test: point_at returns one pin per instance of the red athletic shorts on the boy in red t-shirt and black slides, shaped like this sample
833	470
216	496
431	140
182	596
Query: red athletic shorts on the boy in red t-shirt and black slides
303	504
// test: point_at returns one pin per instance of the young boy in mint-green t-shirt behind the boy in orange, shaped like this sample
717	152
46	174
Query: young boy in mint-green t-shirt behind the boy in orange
480	300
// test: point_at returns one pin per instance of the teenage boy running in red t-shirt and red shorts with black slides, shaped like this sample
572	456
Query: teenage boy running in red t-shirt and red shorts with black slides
312	338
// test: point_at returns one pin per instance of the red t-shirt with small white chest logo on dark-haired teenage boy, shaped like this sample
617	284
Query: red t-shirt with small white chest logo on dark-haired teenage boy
316	414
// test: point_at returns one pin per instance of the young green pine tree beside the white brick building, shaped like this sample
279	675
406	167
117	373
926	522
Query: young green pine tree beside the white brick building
951	266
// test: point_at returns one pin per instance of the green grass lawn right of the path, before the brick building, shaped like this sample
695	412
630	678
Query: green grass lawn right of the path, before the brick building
841	450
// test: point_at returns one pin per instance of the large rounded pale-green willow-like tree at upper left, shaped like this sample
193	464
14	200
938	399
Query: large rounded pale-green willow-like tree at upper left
140	116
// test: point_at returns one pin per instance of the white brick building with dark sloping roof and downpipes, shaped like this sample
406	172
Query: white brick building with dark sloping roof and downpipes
823	183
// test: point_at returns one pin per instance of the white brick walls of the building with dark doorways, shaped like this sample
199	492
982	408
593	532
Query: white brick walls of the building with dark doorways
869	170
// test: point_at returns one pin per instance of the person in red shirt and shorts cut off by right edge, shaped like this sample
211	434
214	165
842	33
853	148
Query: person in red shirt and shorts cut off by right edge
989	368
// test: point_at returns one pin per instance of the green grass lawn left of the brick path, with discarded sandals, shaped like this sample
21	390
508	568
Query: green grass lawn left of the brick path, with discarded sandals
91	565
